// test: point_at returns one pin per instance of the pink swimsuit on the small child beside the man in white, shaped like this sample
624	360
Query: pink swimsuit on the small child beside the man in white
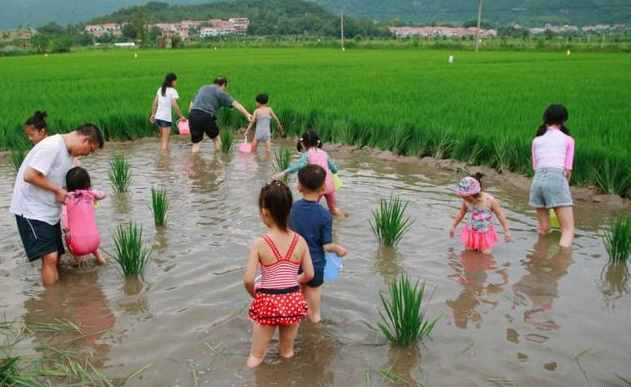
79	220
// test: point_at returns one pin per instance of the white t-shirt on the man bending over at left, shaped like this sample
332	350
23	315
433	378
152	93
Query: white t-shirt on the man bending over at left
51	158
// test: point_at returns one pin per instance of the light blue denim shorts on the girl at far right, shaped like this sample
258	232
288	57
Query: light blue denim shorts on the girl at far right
550	189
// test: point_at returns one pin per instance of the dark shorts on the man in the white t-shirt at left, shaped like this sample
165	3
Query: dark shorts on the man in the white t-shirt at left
39	238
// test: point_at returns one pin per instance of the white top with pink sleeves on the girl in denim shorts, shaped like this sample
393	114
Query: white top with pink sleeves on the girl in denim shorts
554	149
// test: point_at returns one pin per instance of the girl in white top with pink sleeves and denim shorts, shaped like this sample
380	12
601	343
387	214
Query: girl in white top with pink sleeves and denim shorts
552	161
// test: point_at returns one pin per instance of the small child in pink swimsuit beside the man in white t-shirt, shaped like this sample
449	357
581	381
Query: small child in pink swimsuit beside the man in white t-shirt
78	216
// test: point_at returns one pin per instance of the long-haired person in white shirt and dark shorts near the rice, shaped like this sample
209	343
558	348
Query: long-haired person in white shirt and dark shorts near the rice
165	99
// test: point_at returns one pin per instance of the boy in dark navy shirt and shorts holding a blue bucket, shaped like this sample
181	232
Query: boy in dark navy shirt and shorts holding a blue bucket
309	219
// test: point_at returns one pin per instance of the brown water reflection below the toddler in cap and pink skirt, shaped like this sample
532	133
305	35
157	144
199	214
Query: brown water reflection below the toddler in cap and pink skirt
472	272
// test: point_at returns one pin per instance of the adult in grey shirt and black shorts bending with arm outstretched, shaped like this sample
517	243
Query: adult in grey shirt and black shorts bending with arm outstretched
204	108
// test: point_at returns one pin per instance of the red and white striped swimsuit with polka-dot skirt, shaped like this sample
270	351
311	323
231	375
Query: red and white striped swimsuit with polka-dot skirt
278	300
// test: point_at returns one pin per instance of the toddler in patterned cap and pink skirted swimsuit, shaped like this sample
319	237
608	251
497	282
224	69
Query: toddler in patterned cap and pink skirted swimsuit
479	233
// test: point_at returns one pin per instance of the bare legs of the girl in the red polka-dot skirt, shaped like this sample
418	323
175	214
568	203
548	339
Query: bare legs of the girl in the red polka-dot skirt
261	336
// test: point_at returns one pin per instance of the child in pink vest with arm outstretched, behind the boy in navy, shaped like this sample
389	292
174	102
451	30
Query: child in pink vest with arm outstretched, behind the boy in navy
311	145
